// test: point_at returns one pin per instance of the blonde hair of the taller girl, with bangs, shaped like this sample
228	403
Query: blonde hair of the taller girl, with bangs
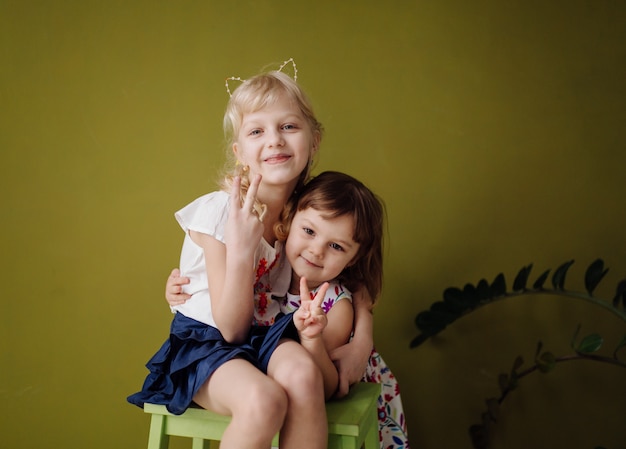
252	95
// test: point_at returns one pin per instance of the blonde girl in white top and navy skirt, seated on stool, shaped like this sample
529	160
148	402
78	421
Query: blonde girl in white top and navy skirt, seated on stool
230	349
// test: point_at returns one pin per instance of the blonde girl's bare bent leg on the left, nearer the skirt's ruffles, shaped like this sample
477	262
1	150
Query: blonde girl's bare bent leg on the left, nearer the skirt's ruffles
256	403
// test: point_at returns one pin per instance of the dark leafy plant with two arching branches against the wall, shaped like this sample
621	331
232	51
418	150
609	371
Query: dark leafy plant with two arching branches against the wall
460	302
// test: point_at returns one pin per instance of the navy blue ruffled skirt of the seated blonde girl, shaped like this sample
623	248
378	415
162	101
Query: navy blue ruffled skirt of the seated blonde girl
194	351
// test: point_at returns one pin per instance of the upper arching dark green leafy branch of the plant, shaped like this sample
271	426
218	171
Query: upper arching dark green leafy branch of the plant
458	302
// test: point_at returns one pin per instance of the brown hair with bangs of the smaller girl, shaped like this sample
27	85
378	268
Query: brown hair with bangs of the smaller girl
340	194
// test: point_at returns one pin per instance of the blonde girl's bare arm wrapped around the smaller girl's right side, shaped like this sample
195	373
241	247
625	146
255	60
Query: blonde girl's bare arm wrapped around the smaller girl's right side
352	358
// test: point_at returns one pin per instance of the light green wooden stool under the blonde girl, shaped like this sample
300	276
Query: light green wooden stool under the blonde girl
352	422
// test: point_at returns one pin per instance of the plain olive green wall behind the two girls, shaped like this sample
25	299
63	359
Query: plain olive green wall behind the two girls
493	130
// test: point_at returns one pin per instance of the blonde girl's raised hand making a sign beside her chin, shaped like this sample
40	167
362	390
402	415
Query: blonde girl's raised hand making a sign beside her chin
244	228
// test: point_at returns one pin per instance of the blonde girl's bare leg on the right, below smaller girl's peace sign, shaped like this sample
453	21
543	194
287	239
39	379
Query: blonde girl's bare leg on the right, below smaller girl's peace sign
306	426
